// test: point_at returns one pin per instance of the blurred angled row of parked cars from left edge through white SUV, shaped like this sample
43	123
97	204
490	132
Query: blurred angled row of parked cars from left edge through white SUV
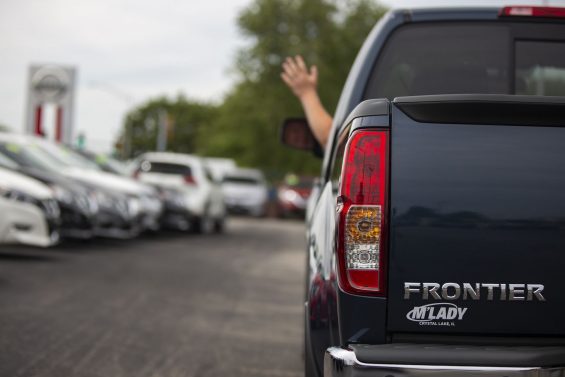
50	192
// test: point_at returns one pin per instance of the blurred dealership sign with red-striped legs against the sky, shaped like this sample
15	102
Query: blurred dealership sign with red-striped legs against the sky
51	84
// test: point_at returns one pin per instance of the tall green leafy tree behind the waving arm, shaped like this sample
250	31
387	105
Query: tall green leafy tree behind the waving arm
327	33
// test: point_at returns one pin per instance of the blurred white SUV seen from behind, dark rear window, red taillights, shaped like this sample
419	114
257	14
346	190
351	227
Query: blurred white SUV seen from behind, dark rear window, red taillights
204	207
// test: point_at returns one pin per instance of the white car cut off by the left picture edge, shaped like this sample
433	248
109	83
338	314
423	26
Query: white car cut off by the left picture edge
30	213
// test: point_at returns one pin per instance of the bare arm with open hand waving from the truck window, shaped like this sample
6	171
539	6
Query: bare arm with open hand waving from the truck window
303	83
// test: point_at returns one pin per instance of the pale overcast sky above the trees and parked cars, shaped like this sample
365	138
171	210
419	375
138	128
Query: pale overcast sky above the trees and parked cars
127	51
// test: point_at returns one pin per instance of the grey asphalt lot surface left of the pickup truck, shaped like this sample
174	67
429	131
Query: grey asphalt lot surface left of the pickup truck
165	305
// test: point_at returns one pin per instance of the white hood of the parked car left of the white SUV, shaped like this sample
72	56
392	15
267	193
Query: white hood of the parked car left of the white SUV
107	180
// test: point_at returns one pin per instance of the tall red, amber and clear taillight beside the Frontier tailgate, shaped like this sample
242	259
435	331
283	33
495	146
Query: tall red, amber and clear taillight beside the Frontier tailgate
362	214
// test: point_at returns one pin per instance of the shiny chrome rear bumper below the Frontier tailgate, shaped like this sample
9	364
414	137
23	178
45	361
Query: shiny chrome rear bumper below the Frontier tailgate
339	362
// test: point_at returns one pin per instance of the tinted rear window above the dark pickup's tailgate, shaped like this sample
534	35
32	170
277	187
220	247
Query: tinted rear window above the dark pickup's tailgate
471	57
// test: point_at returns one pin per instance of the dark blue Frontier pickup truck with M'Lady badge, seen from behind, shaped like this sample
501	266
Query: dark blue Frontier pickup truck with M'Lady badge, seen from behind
436	237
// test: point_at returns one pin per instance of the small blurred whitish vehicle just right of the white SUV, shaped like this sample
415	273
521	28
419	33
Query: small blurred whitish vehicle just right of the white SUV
245	191
